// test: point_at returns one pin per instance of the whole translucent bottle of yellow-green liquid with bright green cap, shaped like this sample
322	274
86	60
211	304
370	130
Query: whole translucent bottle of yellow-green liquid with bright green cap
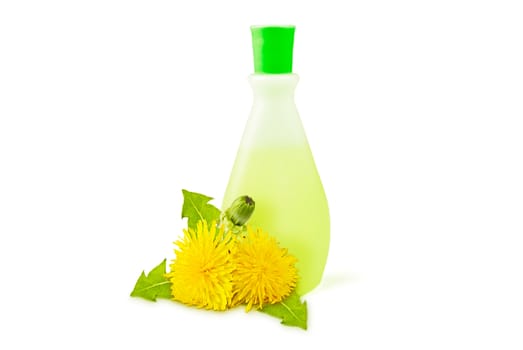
274	164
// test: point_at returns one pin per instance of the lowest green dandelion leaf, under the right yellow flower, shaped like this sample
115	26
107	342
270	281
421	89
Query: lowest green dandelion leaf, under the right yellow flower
291	311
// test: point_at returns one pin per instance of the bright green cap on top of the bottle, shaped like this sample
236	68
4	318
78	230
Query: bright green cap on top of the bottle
272	47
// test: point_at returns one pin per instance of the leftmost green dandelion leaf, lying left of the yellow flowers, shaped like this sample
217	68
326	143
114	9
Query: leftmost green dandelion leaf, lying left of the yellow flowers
155	285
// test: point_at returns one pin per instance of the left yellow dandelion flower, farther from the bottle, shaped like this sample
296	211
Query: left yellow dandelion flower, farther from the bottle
201	273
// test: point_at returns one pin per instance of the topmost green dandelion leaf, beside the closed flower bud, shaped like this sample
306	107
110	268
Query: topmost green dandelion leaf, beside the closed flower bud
196	208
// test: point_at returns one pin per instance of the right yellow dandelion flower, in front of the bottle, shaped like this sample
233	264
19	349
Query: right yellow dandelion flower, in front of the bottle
264	272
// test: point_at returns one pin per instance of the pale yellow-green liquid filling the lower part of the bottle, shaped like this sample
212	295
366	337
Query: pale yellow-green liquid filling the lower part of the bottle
290	204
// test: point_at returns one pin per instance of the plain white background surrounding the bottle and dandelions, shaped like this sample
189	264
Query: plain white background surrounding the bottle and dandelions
412	108
